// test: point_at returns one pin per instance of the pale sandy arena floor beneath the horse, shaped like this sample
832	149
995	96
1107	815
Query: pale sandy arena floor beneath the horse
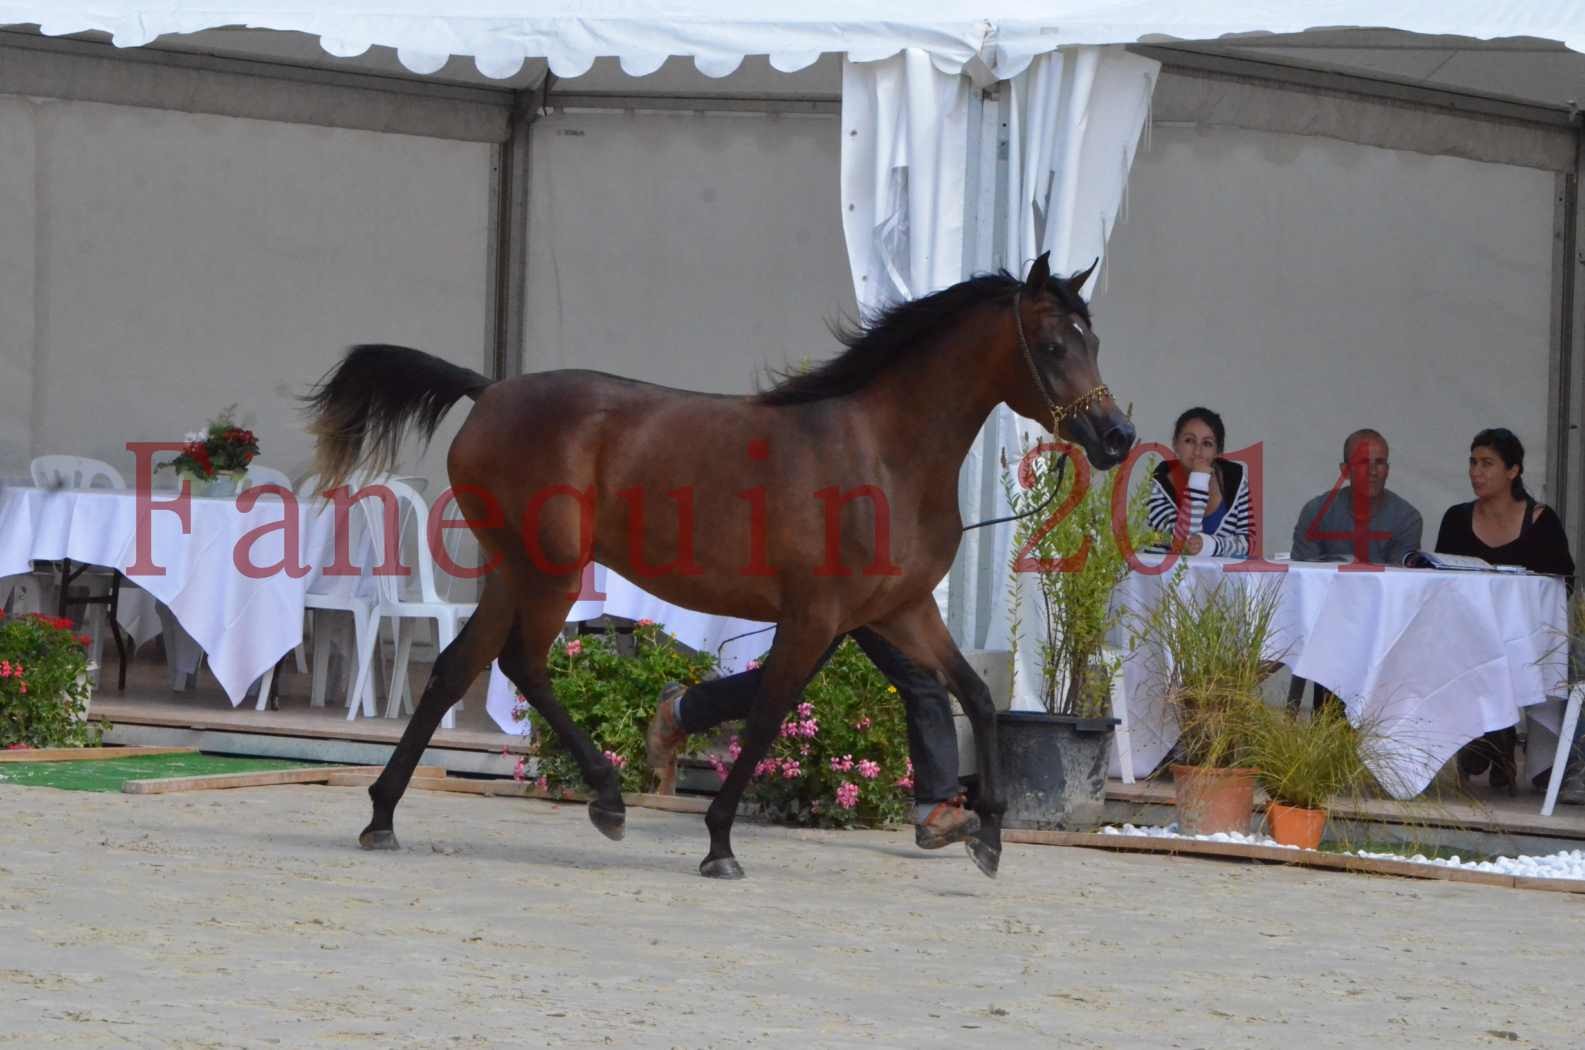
250	919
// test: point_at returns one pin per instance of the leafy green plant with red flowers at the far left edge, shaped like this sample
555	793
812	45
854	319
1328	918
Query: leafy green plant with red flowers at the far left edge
45	684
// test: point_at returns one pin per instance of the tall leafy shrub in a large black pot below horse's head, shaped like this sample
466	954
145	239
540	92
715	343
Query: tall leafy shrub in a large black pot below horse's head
1055	761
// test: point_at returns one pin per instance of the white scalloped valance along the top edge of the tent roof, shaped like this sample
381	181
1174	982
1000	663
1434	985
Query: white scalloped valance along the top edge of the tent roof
998	40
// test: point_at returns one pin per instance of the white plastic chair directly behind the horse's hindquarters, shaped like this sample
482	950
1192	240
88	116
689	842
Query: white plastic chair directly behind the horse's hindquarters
421	602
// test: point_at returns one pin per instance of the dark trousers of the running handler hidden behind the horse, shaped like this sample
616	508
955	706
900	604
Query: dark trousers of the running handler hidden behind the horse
933	740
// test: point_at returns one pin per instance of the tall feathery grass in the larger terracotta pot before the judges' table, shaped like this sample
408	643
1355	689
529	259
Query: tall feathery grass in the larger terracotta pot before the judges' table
1215	643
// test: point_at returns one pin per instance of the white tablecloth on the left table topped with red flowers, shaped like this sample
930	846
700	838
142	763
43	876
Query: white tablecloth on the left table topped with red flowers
245	624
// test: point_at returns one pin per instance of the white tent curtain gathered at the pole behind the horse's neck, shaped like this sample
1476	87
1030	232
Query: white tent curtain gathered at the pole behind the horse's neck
1075	121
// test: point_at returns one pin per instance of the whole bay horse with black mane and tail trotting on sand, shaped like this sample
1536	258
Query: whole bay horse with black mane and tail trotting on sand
825	504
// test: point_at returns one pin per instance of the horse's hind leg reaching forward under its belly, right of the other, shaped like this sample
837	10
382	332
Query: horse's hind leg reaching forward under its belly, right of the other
540	619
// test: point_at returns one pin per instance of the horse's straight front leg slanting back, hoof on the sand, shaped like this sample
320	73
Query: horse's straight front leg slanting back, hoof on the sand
795	659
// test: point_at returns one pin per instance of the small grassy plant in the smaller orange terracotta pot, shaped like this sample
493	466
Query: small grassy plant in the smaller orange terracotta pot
1304	765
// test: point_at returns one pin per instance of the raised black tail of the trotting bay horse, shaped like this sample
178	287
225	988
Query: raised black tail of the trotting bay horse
362	408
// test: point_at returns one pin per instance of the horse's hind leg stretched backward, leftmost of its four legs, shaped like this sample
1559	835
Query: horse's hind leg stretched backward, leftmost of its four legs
454	672
